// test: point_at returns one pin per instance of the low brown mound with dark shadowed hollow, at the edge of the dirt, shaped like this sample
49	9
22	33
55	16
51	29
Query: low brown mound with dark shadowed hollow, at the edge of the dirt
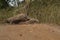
21	18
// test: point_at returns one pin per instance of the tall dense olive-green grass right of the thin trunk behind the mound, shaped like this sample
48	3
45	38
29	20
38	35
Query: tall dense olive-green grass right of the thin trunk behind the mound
47	11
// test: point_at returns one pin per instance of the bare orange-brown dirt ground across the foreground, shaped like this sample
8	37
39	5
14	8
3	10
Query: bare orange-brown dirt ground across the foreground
29	32
